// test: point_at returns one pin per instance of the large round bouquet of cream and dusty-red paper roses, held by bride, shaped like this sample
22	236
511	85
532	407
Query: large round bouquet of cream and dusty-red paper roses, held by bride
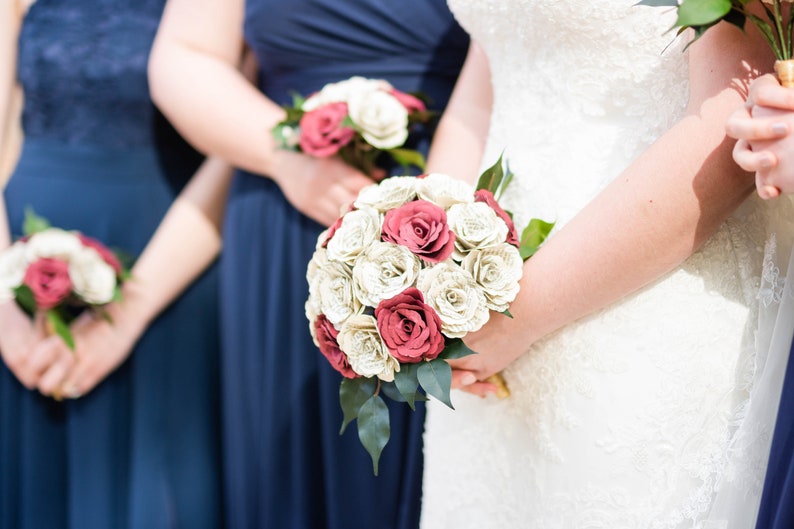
414	265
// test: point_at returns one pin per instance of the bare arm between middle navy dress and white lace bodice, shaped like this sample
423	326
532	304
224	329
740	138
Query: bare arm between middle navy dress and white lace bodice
459	141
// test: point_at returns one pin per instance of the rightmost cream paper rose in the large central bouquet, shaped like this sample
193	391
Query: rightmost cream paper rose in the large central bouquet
496	270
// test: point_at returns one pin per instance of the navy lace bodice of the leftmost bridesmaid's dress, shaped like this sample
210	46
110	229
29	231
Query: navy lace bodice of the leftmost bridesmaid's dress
82	66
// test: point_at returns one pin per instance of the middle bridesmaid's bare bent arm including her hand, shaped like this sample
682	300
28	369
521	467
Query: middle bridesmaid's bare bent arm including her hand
195	83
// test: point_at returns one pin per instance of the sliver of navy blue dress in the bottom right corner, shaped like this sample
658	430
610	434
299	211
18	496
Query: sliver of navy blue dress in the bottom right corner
777	502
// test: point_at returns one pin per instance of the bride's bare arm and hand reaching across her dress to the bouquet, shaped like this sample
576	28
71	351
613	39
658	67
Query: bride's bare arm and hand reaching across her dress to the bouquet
647	221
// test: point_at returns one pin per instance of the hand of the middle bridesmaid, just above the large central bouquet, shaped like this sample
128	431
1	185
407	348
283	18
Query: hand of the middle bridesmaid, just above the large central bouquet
320	188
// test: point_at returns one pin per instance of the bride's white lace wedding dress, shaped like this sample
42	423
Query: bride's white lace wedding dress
628	418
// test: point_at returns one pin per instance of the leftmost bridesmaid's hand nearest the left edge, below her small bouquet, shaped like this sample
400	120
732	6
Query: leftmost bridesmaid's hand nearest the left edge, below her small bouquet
18	339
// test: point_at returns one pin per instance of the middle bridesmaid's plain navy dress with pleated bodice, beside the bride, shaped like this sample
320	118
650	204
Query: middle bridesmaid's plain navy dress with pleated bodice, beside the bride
286	464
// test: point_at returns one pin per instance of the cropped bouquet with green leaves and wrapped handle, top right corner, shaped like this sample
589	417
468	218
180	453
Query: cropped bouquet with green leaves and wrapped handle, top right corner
776	27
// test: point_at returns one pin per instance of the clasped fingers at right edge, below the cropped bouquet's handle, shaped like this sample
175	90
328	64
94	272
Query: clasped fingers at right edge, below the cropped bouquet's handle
763	128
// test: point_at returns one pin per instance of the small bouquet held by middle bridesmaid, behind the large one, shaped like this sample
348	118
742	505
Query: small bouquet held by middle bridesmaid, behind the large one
359	119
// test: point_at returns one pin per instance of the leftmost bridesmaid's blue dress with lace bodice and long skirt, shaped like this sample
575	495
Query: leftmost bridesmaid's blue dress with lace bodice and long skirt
141	451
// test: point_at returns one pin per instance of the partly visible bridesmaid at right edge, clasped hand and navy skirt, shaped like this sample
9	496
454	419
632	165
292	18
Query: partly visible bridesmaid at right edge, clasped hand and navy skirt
765	130
